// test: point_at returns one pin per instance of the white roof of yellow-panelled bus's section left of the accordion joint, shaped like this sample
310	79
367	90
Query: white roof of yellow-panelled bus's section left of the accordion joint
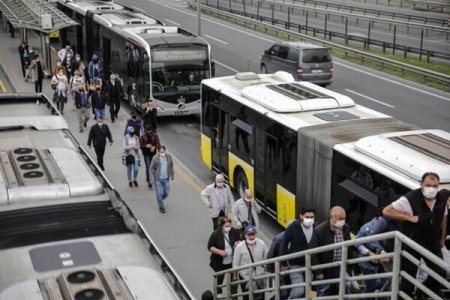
293	104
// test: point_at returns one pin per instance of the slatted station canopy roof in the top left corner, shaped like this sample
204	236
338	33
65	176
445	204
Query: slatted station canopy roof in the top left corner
38	15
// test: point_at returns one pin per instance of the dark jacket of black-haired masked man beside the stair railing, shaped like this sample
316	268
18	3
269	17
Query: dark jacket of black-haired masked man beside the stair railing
294	241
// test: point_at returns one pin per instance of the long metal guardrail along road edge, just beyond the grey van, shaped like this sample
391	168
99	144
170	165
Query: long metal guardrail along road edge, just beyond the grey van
363	56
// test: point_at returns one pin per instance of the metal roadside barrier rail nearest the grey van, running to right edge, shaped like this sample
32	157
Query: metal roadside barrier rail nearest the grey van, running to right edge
347	50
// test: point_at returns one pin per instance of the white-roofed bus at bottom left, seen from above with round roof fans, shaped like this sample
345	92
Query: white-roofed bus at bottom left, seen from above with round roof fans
65	233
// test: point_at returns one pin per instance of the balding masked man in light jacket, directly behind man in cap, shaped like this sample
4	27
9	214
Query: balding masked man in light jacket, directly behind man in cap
246	210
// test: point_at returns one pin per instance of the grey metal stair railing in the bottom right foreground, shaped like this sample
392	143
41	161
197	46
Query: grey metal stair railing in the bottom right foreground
394	276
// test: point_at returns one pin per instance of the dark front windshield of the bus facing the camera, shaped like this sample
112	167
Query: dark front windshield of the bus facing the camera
178	73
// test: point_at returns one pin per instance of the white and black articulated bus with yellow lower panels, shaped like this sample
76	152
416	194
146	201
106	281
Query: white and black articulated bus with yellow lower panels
296	144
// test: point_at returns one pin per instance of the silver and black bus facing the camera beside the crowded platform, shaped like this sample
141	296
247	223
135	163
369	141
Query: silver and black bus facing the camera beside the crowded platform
163	63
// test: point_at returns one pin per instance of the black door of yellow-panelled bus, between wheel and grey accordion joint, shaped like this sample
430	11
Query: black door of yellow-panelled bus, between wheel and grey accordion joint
266	148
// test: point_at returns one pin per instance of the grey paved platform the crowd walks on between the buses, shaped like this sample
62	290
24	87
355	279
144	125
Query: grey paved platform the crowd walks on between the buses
181	233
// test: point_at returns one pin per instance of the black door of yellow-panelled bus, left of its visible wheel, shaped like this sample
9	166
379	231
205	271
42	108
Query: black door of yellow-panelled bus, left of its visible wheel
219	139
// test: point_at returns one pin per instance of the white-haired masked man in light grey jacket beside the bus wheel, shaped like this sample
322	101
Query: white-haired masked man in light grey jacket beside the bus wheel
218	198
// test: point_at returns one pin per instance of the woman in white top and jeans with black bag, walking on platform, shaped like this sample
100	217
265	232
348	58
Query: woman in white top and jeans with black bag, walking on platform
131	155
